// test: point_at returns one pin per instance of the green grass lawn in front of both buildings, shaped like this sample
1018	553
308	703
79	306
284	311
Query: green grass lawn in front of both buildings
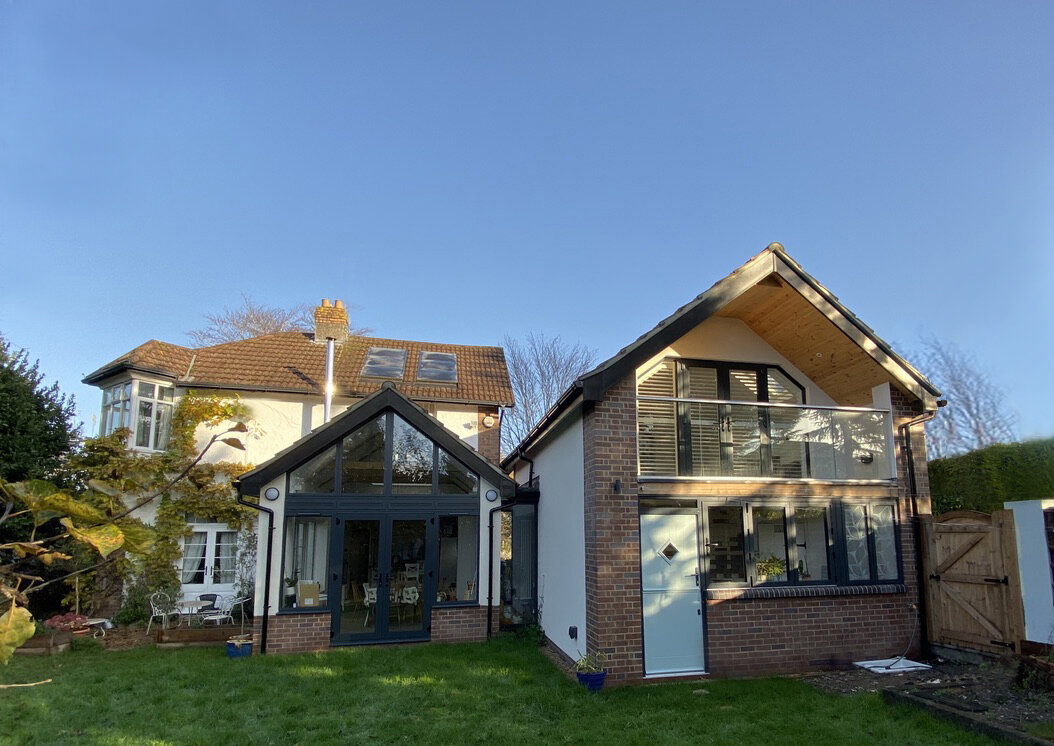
505	692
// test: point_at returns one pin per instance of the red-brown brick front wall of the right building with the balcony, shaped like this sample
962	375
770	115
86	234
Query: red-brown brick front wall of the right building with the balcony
745	636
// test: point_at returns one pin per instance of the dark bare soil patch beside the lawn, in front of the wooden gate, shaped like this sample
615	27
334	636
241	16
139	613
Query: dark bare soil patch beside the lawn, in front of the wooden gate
986	691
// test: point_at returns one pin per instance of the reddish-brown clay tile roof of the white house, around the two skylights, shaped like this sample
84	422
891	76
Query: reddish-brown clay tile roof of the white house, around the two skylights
292	362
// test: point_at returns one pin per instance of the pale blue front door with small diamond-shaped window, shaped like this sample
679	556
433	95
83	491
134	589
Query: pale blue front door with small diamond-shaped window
671	584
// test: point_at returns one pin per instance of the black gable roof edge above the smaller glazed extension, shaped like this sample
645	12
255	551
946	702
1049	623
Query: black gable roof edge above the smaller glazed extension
361	413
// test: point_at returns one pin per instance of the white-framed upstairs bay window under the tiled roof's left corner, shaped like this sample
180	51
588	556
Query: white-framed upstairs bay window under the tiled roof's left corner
152	404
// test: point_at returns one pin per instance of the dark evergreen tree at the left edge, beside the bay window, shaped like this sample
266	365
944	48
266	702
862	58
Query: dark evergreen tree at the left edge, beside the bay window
37	428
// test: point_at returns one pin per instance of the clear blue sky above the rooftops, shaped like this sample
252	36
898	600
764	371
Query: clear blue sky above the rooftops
464	171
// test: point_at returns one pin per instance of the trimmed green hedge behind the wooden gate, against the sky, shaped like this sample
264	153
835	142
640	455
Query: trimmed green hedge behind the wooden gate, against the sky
984	480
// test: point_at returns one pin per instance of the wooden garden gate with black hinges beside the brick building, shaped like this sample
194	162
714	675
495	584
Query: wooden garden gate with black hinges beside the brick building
973	591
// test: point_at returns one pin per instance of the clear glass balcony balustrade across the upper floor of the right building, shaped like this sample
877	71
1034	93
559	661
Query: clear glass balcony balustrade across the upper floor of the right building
687	439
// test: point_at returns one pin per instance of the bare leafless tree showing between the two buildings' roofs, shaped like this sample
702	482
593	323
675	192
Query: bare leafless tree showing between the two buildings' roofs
541	370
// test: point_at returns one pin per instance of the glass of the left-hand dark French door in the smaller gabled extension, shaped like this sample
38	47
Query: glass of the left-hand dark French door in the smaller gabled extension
362	596
